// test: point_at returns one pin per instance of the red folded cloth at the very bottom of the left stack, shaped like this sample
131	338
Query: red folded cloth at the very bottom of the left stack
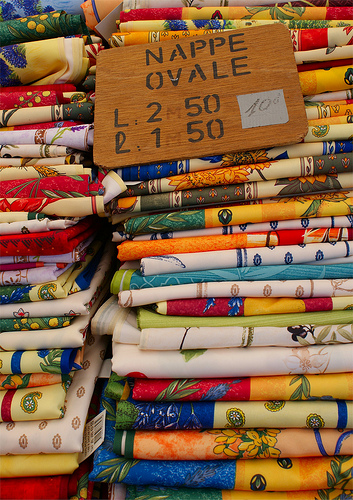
35	488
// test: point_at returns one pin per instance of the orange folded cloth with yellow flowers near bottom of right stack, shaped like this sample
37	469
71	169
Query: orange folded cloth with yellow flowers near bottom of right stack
223	444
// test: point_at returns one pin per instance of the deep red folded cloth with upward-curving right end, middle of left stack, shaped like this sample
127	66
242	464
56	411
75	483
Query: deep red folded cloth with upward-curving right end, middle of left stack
49	242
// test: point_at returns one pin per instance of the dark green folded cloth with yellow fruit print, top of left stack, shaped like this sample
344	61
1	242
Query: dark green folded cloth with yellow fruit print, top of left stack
41	26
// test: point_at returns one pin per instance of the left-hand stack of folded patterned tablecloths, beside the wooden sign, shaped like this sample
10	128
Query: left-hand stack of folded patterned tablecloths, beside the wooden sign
56	252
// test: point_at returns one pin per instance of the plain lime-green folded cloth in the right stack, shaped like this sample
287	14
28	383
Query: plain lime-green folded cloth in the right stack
150	319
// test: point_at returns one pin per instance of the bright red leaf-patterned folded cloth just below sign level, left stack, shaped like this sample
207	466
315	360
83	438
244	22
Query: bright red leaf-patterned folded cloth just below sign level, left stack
60	186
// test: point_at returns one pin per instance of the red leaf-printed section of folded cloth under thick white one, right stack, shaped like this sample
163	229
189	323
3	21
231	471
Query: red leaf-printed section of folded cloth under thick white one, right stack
230	389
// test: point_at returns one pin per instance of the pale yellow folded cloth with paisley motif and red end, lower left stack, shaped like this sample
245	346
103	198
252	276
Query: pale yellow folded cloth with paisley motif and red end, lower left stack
37	403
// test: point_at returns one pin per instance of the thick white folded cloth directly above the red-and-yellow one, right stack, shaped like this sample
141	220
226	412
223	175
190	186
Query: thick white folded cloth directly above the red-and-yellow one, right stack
129	360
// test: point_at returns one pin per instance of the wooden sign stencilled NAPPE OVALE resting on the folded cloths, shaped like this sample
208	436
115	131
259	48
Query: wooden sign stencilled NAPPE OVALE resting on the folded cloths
198	96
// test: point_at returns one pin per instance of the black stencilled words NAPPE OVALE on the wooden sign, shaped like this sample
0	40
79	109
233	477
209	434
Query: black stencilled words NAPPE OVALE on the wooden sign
217	69
